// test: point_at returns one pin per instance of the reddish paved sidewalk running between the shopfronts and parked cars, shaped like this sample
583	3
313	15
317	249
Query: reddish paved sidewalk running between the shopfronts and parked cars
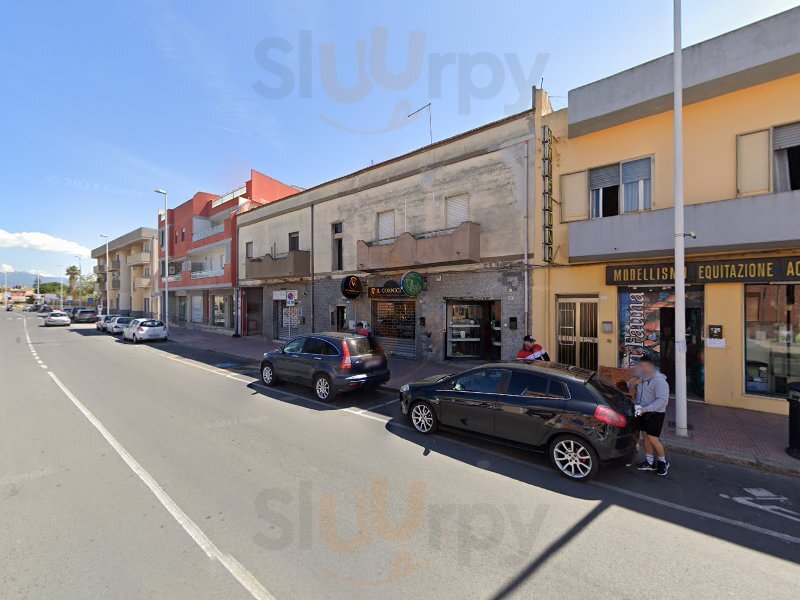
720	433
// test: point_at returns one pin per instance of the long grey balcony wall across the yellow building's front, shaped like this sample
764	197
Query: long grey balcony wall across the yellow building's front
751	223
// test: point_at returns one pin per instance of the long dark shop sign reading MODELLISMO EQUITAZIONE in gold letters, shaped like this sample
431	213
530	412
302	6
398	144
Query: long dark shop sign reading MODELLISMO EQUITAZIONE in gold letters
753	270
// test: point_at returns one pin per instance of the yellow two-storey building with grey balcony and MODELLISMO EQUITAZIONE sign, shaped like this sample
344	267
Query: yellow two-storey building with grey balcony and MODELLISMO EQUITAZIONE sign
602	279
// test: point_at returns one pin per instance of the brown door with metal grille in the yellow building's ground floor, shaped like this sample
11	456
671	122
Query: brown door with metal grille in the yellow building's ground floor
576	337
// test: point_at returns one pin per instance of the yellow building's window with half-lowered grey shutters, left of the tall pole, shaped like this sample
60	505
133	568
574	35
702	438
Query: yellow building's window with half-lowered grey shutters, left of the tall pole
621	187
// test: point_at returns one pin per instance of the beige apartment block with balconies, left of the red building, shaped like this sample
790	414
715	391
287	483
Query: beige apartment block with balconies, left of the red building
130	272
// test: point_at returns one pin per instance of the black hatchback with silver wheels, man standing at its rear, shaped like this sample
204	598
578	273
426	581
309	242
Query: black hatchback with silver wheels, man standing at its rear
568	412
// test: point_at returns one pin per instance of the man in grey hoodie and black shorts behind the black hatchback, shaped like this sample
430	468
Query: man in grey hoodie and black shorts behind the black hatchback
652	396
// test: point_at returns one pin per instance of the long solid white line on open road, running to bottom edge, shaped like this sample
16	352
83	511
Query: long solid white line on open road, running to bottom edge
233	566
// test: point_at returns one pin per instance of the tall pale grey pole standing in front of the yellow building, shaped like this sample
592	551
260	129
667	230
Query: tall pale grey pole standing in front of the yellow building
681	427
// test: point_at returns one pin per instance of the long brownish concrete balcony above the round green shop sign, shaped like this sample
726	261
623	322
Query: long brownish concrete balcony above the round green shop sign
443	247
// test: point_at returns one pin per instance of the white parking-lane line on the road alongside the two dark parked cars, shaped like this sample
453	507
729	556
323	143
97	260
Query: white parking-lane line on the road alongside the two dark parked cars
650	499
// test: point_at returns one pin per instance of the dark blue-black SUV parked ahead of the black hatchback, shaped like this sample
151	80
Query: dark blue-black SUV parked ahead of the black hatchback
328	362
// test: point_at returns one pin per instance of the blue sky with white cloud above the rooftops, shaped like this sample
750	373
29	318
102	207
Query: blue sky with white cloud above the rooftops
106	100
